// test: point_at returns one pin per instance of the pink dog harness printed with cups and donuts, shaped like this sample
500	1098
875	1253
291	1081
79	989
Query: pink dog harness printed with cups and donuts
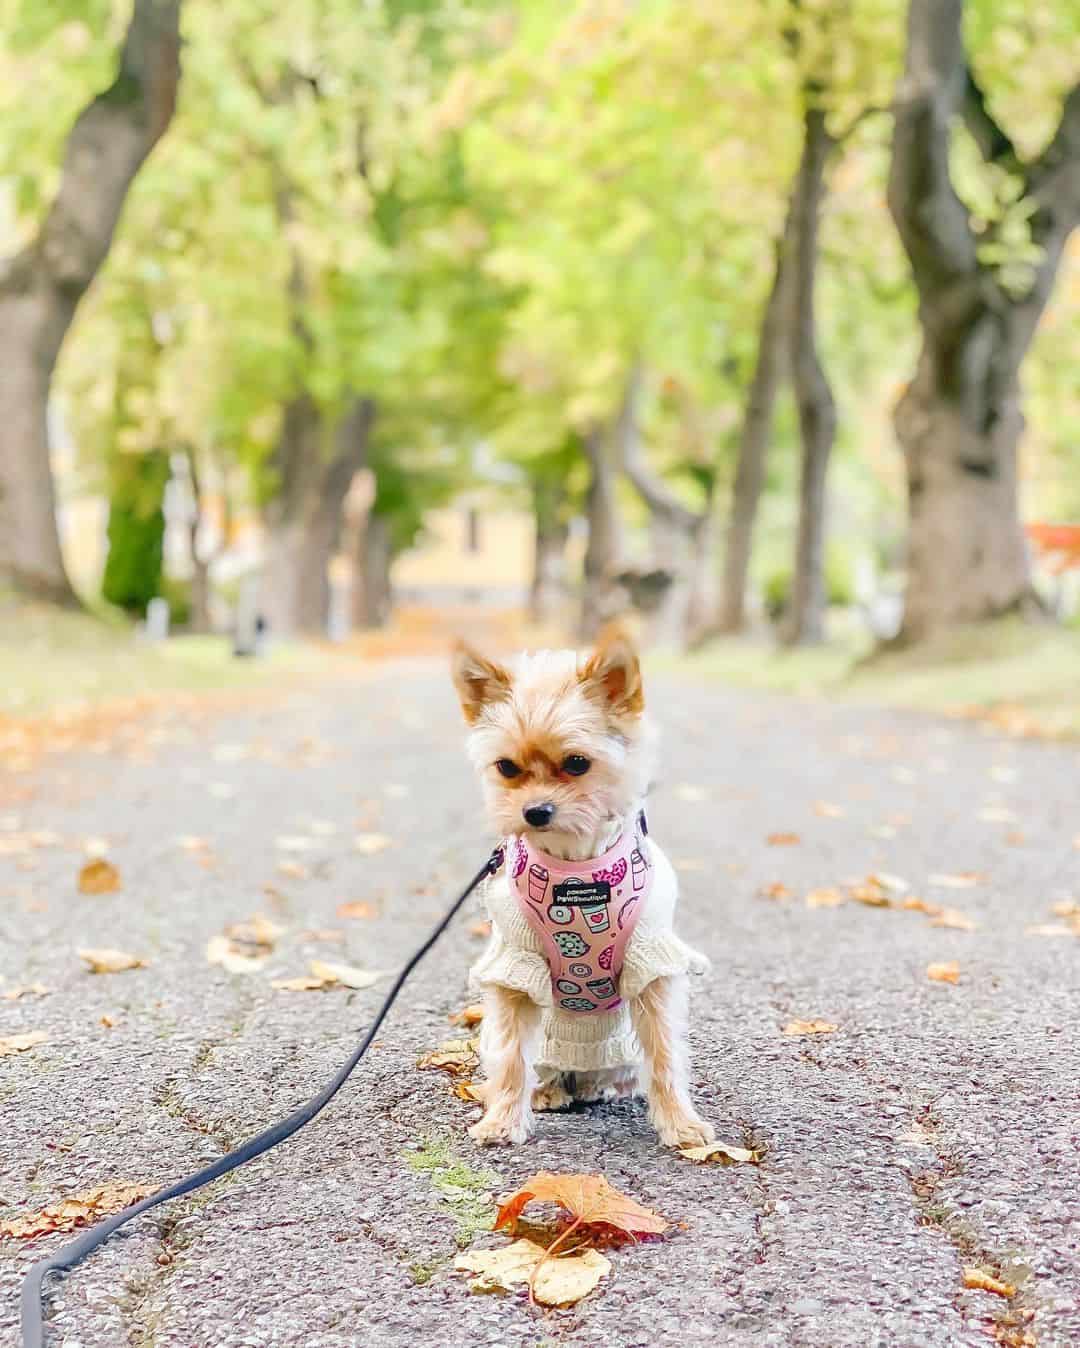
586	913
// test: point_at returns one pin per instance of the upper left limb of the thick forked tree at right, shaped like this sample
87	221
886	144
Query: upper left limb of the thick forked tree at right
932	220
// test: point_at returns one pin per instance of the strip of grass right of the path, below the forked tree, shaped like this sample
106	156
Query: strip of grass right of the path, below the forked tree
1029	675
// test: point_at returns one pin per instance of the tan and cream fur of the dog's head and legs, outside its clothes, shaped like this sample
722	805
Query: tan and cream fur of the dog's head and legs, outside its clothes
536	714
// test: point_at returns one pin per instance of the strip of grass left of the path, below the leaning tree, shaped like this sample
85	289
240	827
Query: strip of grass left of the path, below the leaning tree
53	660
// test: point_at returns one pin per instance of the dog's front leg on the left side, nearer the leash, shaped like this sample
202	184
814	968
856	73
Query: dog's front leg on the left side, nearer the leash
506	1051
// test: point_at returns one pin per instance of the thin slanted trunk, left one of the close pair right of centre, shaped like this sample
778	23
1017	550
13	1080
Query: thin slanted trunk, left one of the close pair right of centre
754	439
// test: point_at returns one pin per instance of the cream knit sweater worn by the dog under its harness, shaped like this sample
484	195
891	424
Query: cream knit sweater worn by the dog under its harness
574	1043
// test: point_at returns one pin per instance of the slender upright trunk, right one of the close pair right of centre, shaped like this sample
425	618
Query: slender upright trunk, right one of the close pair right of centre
806	622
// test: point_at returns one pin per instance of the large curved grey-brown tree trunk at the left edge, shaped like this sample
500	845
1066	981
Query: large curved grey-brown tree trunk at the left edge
44	285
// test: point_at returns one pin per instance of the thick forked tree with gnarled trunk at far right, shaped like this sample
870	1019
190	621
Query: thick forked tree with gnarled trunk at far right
980	300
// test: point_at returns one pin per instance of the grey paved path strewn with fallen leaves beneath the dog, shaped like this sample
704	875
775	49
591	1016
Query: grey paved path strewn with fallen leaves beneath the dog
935	1130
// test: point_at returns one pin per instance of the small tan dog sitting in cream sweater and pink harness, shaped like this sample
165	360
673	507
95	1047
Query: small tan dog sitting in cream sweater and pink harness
584	982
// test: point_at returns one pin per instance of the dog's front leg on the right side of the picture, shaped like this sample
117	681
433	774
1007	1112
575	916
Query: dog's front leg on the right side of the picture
660	1021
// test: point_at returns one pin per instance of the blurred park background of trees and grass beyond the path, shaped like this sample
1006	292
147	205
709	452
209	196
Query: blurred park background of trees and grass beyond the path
338	327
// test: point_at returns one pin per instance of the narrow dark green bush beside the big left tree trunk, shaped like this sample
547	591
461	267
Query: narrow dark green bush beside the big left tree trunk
137	532
